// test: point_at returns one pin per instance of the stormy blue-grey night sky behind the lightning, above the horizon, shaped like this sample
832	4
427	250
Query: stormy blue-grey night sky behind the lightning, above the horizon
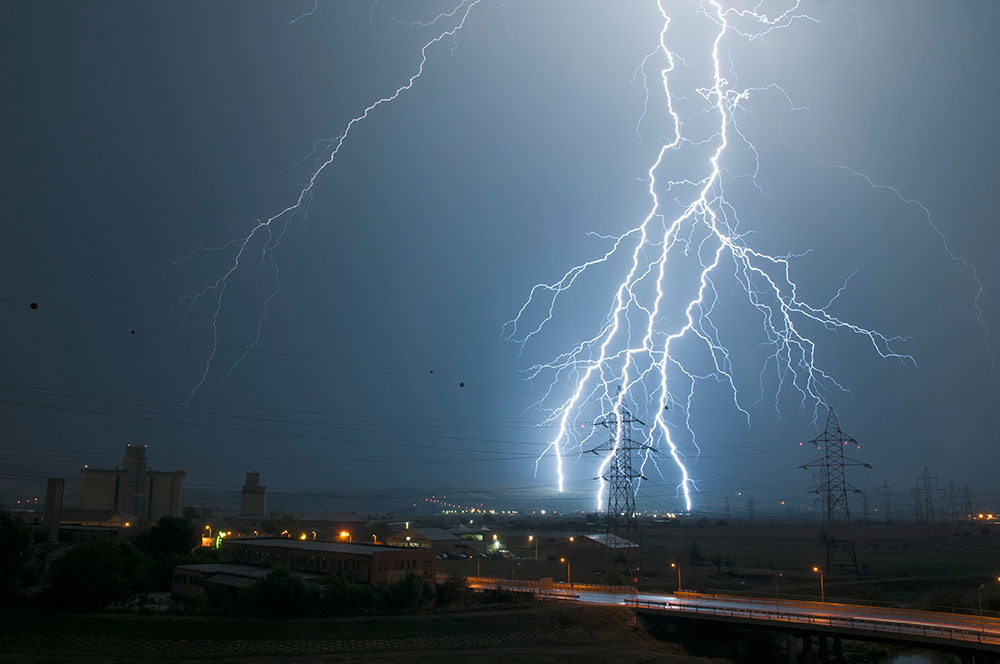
135	133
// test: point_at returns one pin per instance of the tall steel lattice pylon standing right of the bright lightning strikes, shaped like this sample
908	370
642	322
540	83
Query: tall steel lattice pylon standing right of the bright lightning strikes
833	488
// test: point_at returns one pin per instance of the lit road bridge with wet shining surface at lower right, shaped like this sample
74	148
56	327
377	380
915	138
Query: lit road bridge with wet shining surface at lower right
974	638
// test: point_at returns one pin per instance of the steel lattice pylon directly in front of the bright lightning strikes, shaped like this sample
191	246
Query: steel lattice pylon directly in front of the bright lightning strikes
621	516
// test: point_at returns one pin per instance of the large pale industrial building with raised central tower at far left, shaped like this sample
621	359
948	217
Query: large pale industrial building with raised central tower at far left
133	489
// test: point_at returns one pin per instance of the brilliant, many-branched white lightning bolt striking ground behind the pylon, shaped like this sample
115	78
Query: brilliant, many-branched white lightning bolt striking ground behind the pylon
654	343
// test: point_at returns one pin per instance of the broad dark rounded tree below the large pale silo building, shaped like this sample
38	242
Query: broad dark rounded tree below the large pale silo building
96	574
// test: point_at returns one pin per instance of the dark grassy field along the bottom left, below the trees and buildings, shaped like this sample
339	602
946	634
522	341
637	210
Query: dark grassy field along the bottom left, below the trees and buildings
544	633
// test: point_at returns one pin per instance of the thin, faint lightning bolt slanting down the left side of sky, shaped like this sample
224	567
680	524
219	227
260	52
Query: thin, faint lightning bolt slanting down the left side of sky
257	247
